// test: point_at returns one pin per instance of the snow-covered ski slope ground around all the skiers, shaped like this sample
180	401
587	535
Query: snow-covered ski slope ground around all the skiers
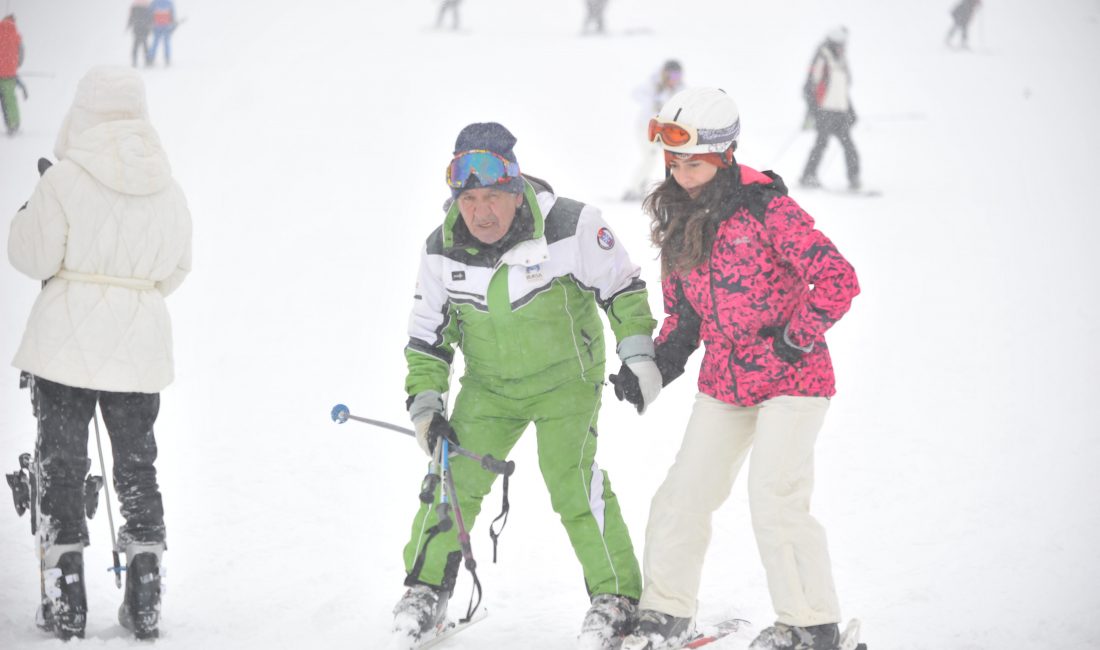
958	468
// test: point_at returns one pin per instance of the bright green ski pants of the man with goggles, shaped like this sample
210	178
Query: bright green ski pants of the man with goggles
580	492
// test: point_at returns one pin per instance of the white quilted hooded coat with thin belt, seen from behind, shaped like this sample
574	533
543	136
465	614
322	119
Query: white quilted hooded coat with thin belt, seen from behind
112	230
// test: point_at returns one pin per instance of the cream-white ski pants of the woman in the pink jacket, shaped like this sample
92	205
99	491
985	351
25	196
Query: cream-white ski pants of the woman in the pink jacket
782	433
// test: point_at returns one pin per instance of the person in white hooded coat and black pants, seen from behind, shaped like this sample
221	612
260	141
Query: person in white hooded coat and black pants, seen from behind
109	230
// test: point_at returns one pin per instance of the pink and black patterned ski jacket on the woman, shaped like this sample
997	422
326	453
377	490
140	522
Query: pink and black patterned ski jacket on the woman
768	267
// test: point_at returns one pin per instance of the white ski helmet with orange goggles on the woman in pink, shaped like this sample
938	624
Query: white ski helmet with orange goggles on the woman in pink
708	119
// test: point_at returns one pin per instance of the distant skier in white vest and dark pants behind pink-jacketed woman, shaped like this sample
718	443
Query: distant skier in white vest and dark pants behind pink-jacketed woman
827	94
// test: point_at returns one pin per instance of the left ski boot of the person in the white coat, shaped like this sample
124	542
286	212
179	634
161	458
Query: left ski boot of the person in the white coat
64	610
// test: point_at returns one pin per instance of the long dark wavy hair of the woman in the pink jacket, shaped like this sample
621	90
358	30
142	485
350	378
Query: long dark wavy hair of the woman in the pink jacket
684	228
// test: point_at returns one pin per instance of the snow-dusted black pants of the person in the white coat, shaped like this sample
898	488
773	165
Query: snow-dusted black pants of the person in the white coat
64	414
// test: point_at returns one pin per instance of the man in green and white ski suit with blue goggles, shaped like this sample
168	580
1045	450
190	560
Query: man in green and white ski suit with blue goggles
514	278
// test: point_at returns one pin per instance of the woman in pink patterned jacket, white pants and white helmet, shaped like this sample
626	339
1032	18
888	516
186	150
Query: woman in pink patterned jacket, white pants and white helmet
745	273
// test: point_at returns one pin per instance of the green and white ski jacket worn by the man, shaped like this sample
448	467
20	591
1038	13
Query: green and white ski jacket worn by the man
525	320
